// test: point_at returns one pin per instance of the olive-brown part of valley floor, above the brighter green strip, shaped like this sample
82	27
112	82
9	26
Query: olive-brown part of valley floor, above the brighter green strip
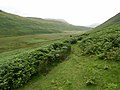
31	41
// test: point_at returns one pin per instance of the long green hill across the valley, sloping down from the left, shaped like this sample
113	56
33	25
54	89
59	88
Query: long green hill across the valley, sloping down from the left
14	25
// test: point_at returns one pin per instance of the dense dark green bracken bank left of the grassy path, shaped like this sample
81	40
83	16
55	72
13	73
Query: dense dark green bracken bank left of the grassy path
19	71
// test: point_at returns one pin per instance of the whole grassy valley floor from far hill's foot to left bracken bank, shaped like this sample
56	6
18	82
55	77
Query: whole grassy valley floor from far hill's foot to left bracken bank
12	46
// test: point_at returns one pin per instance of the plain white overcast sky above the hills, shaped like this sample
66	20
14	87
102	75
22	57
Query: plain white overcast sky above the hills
76	12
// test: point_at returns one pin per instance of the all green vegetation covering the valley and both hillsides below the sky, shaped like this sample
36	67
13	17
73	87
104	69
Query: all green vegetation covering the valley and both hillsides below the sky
92	64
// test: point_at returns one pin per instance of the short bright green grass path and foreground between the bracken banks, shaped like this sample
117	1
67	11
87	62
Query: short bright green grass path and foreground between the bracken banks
79	73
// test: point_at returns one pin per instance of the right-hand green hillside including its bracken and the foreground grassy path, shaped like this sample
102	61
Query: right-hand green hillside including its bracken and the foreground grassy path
98	71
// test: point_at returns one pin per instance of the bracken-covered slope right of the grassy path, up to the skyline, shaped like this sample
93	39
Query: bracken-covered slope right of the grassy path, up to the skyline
104	41
